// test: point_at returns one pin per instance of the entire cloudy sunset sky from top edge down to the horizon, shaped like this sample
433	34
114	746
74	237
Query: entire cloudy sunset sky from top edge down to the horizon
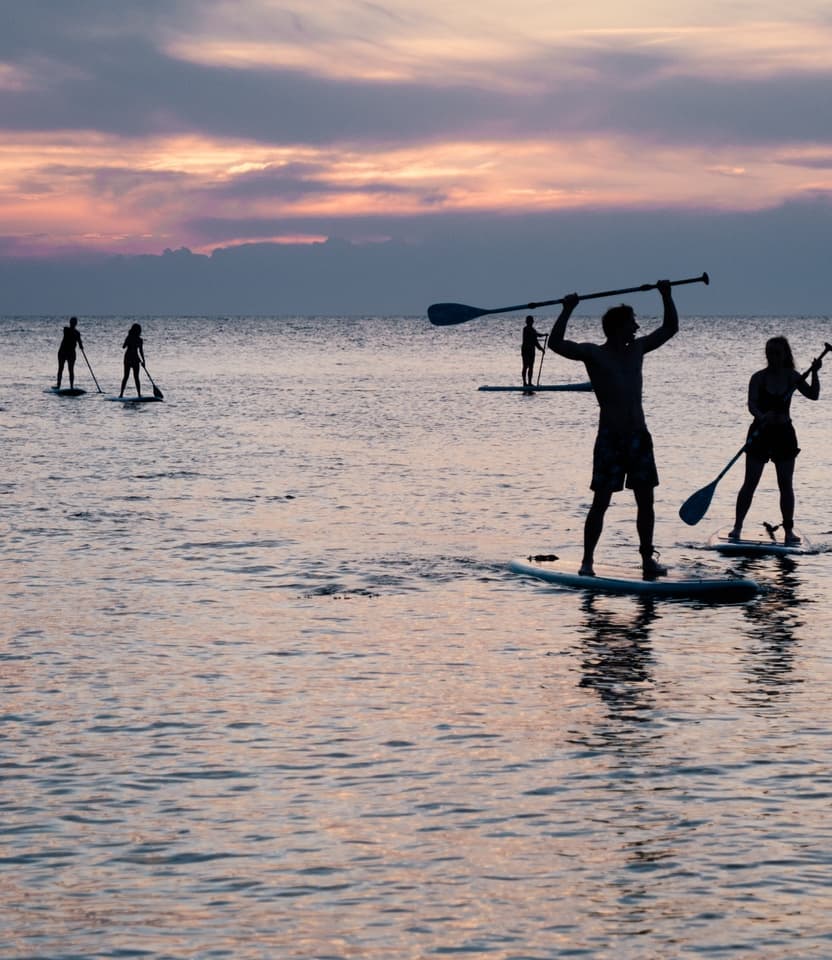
344	156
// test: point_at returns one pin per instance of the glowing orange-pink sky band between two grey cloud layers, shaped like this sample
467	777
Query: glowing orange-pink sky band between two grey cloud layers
62	192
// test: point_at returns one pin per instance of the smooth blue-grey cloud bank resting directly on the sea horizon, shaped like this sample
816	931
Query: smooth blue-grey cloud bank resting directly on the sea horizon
773	262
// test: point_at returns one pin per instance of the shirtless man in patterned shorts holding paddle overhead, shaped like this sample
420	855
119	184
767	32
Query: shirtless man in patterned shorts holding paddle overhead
623	445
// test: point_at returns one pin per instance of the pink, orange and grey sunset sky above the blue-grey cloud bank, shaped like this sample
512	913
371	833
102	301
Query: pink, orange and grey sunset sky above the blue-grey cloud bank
134	126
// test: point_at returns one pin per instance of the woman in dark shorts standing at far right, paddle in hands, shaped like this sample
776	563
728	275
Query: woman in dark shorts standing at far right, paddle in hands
771	435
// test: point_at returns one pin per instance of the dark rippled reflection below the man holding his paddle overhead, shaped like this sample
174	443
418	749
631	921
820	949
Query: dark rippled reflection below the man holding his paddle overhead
617	657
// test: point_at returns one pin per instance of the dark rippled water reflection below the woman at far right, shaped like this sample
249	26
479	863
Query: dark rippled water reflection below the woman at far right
773	619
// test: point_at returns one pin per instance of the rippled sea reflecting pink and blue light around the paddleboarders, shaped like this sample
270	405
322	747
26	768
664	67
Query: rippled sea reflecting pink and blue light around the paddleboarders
269	691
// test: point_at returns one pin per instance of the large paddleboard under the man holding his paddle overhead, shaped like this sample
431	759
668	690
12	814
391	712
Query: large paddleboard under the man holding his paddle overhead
564	573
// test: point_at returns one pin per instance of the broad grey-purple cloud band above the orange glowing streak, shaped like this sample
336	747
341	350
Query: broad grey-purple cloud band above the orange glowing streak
91	69
